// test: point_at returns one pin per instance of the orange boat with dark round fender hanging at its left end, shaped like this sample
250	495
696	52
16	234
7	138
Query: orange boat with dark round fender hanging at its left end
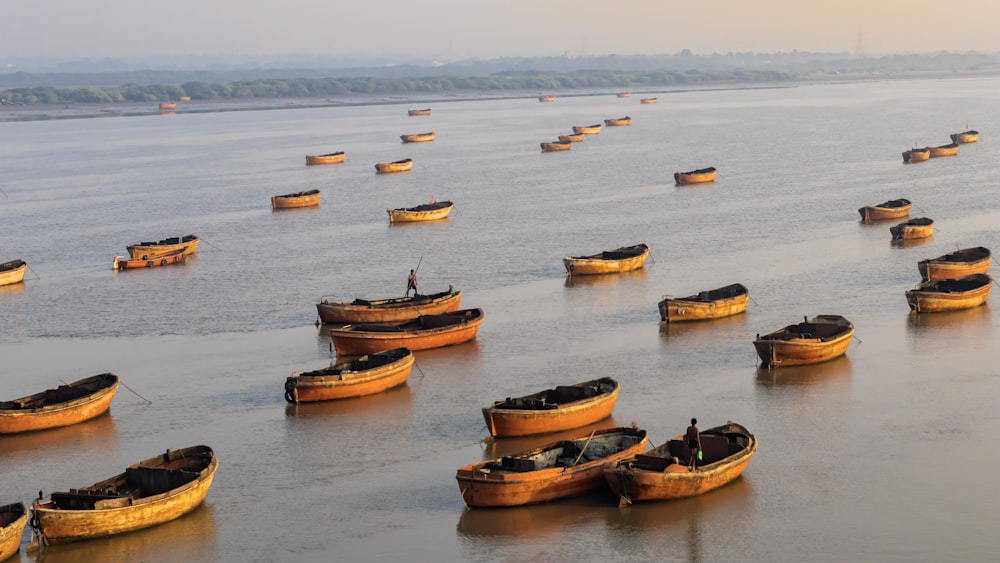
357	377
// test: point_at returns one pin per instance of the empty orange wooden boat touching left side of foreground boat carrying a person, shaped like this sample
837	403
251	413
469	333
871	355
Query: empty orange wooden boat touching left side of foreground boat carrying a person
558	470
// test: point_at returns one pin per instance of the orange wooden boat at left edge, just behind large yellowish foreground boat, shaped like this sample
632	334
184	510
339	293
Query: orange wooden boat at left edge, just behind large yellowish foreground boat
67	404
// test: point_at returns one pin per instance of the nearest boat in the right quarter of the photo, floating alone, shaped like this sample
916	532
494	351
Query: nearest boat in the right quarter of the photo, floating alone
815	340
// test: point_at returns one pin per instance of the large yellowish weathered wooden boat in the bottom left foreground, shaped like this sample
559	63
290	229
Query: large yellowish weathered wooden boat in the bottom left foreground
151	492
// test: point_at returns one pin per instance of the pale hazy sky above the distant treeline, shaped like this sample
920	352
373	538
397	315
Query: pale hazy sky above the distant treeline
458	29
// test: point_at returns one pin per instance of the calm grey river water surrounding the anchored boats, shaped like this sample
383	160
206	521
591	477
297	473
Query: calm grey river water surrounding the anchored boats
886	454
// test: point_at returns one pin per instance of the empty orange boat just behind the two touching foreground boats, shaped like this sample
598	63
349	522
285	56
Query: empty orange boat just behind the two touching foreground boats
562	408
